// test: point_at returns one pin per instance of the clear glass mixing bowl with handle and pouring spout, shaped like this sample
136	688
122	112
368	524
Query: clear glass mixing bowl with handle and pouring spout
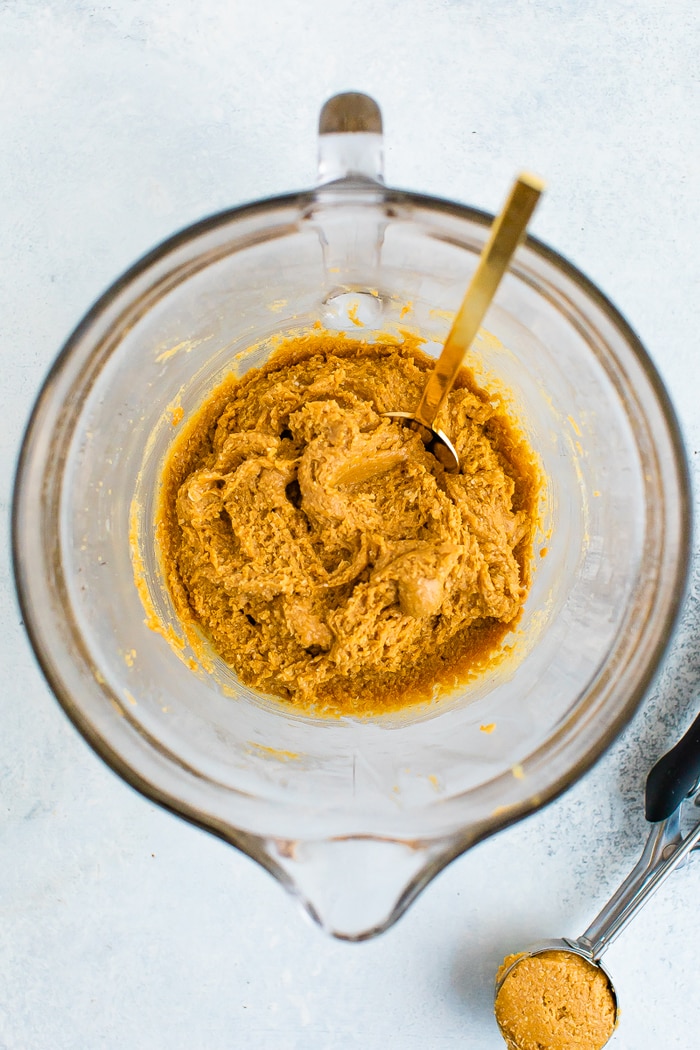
354	817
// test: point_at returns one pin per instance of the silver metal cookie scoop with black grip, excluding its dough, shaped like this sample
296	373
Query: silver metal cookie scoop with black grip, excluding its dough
672	806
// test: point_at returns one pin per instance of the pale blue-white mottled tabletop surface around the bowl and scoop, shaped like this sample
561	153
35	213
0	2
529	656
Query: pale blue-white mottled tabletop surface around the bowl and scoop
120	927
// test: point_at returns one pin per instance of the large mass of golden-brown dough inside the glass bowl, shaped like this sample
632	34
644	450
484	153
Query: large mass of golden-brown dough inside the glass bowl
326	554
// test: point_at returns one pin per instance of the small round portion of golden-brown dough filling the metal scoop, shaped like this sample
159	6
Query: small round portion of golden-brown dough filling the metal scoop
555	1001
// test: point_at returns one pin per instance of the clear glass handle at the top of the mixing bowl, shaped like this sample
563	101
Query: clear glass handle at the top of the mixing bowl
351	145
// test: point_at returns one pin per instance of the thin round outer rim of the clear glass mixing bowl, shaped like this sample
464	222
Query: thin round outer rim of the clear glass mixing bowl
357	192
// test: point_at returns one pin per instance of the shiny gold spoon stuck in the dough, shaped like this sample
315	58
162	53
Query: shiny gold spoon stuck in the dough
506	235
